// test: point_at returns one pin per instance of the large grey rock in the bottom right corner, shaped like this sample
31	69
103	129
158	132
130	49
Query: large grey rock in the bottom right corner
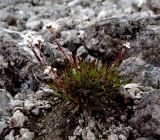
146	117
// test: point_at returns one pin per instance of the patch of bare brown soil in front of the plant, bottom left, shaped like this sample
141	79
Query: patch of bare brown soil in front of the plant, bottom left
51	125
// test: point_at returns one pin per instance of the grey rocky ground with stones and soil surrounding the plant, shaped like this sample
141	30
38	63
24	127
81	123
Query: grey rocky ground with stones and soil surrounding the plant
96	29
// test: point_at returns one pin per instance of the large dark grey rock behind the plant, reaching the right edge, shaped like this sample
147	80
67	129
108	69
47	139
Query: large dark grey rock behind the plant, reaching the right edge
110	35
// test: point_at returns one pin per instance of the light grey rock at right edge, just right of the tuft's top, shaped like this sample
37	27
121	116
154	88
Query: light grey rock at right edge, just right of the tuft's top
143	73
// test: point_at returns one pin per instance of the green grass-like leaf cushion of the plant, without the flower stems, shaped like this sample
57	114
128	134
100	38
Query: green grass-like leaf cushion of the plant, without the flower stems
88	86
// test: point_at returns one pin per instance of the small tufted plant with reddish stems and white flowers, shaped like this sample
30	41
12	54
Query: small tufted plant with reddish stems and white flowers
84	84
